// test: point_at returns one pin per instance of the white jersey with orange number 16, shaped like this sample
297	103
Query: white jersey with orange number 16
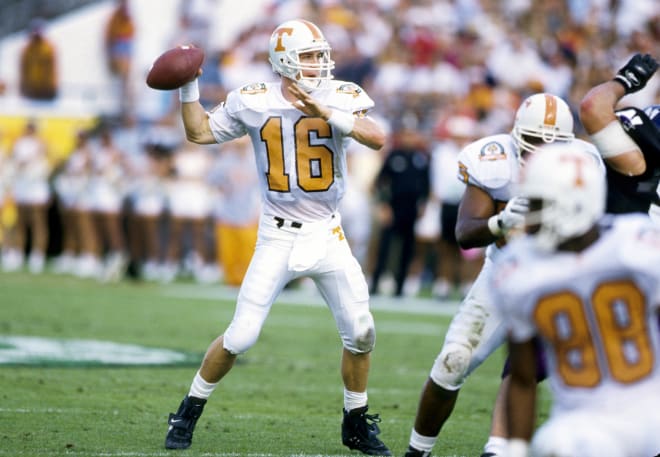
300	160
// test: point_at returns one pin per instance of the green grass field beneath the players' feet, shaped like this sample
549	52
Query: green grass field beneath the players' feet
283	398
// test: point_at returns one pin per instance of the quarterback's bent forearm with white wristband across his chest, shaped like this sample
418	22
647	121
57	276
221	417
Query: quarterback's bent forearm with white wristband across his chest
361	128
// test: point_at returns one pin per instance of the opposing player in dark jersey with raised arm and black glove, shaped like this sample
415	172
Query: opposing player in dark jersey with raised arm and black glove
628	139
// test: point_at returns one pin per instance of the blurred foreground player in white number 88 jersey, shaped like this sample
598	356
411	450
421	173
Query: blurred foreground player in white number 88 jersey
589	288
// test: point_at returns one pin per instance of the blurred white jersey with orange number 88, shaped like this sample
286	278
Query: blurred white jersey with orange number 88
595	312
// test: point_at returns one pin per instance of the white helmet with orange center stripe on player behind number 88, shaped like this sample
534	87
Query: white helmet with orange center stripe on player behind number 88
541	119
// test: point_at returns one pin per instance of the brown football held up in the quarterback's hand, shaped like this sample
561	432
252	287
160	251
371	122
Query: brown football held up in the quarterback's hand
175	67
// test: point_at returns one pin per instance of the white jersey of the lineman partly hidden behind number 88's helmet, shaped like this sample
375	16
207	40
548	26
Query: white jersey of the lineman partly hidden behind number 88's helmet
492	164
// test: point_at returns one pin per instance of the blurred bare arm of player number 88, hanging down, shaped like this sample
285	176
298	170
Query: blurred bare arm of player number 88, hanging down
521	394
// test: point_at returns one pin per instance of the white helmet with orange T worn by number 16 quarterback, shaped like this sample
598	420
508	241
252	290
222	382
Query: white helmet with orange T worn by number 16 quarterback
293	38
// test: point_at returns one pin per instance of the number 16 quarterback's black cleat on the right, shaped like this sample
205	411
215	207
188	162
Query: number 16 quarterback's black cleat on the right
359	430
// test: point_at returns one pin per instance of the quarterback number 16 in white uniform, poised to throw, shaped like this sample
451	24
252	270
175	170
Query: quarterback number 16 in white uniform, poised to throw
299	129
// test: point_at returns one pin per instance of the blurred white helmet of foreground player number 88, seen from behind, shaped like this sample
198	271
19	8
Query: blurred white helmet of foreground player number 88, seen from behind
566	189
